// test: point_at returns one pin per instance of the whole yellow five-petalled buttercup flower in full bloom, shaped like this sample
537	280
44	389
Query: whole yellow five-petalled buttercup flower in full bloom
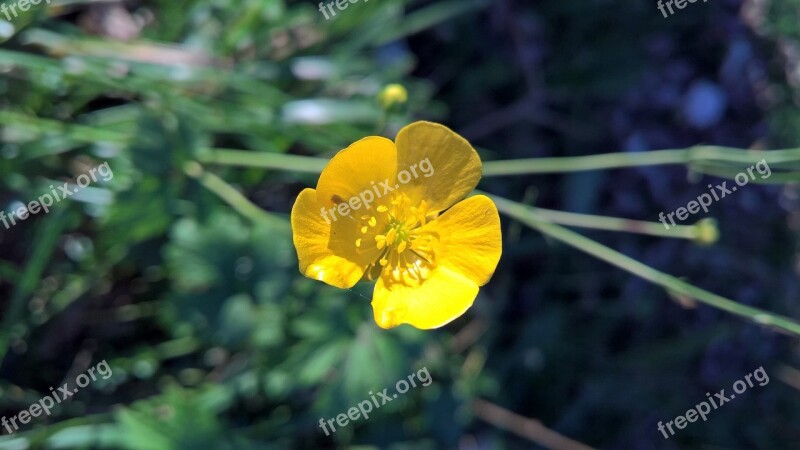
428	249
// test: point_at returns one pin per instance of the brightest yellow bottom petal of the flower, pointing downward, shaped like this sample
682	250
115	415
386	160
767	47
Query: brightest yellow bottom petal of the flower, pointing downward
440	299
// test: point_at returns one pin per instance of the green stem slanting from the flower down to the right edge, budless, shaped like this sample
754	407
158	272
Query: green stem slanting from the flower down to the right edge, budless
673	284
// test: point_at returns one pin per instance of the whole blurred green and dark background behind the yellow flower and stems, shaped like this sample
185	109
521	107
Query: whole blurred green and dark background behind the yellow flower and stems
215	339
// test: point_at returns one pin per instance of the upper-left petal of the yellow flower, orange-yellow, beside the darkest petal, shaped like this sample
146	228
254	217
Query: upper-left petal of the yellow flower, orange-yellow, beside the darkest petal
360	168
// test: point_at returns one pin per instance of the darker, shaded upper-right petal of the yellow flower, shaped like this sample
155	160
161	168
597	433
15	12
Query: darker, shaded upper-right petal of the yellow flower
442	166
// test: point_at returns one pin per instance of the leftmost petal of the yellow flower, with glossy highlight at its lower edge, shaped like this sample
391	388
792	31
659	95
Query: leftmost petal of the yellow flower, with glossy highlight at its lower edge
325	248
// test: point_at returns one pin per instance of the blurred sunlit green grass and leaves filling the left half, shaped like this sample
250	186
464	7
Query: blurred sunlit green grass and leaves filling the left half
175	288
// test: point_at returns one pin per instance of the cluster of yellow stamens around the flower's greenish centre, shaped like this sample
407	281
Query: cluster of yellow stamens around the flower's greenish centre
406	252
